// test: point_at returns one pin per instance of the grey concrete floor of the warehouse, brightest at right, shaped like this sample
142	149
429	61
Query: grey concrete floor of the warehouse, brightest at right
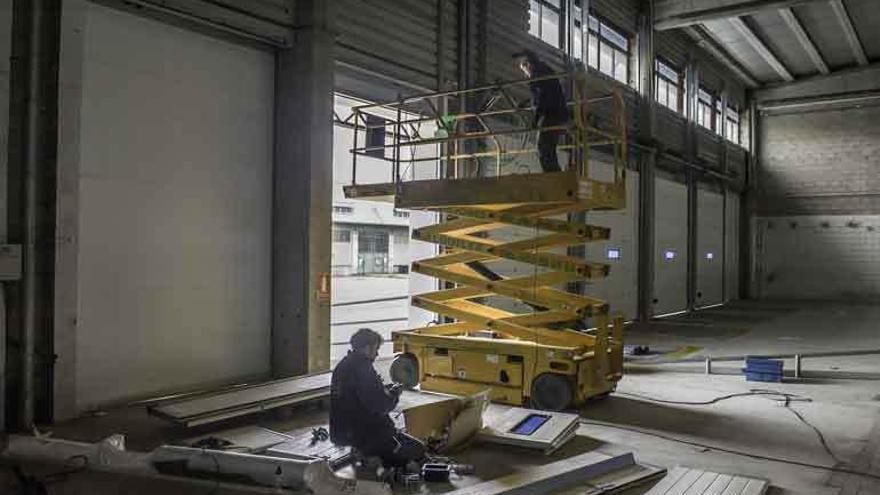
846	411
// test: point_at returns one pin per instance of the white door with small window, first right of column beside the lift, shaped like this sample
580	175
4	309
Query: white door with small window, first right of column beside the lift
670	234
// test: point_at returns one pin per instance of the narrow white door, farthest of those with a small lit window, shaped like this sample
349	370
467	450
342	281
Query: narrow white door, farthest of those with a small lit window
710	244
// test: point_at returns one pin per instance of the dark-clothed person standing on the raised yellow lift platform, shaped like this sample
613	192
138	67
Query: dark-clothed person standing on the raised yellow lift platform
551	108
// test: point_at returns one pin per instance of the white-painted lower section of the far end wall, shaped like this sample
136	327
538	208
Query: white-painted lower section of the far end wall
820	257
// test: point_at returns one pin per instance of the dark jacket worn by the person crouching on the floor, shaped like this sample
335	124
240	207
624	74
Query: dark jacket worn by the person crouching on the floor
359	403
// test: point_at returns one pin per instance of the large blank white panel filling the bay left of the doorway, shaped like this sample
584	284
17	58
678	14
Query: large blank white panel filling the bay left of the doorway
175	209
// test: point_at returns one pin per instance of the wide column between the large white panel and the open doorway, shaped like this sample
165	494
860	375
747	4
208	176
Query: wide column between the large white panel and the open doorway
303	191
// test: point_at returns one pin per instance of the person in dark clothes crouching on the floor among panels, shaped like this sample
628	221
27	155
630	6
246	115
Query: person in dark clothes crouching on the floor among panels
360	405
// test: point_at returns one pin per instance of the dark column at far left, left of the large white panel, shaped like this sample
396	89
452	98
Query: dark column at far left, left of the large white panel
32	176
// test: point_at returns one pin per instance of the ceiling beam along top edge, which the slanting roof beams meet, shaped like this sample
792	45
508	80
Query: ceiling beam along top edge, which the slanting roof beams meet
673	14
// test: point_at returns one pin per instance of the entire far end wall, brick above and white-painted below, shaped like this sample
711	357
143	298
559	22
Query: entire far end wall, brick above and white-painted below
818	231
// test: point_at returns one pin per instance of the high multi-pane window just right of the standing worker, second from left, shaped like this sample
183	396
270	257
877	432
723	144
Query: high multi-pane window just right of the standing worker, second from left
607	47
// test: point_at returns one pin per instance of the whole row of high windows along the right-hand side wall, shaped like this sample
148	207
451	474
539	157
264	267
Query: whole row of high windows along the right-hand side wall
609	51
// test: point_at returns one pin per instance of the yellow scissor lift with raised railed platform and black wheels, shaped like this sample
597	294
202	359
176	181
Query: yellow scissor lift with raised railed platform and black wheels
531	357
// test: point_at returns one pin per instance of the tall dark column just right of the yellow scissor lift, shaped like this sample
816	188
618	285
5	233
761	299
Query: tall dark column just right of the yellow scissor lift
647	163
